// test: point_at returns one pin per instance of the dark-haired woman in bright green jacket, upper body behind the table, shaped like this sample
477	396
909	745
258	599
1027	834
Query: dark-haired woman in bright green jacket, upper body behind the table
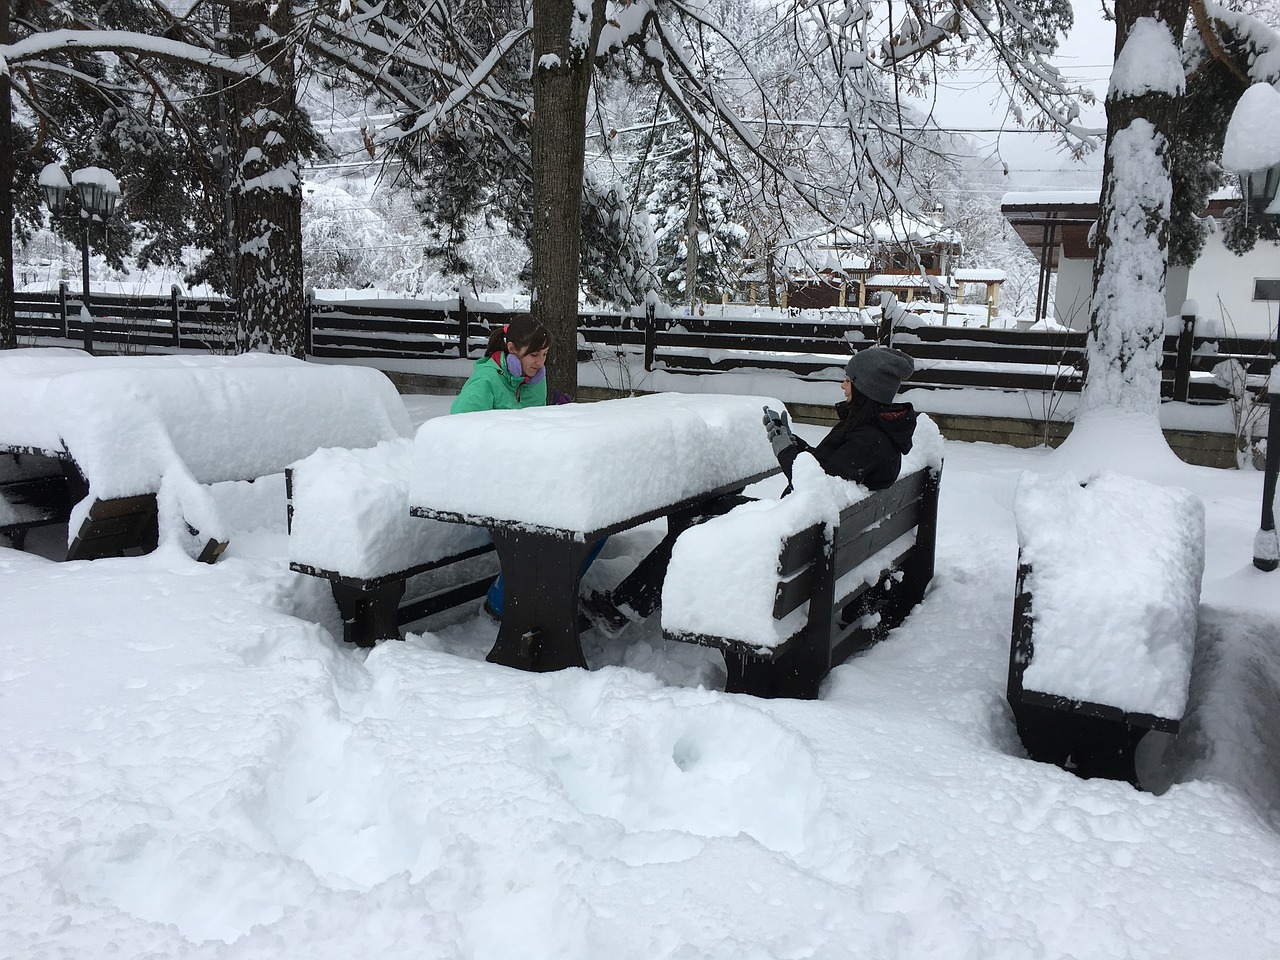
513	374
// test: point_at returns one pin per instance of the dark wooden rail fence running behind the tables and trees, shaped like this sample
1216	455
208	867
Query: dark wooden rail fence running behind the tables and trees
945	356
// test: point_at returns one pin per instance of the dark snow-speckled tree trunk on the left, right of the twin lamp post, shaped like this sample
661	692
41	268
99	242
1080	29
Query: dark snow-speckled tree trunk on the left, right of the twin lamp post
267	191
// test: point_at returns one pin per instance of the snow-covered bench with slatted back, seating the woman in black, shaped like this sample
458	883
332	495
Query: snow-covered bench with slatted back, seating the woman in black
789	589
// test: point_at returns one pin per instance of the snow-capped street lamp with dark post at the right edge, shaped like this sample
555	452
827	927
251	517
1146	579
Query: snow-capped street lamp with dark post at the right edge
1252	150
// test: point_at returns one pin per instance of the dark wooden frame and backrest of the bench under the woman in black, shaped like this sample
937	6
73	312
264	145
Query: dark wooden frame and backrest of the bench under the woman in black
844	596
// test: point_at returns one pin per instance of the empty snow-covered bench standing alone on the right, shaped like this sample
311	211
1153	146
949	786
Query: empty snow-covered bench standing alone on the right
1105	616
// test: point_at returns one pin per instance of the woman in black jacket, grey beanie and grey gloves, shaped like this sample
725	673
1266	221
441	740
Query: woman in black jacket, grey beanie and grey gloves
874	432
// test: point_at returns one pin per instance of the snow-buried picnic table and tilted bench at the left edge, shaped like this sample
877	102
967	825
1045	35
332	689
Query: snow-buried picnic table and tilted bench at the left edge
136	438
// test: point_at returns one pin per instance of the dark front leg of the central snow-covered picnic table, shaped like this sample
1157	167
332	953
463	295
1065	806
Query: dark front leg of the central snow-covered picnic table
540	620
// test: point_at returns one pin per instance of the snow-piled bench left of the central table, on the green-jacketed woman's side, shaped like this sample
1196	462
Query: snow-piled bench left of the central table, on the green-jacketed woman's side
350	524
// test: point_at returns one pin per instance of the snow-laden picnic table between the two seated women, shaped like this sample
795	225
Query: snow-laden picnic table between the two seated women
550	483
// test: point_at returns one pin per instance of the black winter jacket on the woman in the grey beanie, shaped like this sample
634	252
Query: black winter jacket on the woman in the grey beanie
871	454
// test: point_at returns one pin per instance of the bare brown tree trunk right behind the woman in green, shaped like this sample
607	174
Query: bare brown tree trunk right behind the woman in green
564	57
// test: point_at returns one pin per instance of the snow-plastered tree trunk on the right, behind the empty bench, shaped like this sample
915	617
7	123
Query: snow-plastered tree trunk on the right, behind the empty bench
1127	322
